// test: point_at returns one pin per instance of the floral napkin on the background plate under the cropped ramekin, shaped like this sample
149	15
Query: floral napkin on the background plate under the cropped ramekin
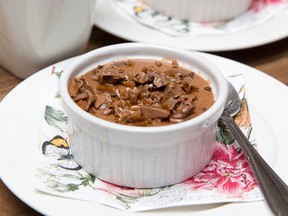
259	12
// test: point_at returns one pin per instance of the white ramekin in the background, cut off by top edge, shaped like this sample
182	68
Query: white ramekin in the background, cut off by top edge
200	10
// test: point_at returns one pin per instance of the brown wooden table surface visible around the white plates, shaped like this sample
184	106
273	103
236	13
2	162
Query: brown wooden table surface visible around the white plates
271	59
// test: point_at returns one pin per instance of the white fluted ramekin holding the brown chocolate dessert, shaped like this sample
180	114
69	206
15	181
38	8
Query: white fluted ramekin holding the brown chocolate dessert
142	157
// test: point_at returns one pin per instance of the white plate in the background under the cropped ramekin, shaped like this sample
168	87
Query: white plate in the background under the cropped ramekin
115	21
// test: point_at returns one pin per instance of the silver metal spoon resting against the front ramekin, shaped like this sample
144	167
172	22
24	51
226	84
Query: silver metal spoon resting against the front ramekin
274	190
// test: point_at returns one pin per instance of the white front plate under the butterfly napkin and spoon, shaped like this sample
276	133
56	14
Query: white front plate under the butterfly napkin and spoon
20	123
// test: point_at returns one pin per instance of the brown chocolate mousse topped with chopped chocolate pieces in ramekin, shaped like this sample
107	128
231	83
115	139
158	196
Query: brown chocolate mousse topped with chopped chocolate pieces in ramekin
142	92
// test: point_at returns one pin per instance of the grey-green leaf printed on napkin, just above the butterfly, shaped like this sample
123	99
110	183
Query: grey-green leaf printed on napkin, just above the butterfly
55	118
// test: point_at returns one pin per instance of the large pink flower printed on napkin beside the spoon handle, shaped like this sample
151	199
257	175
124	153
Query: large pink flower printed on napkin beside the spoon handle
228	172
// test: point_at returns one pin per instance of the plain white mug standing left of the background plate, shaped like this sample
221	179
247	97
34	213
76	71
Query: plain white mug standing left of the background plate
37	33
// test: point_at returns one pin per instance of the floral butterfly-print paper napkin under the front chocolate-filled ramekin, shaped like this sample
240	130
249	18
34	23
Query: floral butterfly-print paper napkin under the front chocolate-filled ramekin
227	178
